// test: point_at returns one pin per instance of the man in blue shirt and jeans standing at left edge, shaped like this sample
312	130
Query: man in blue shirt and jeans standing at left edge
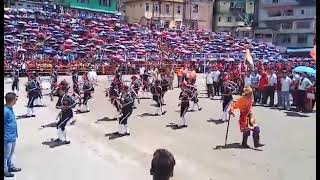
10	134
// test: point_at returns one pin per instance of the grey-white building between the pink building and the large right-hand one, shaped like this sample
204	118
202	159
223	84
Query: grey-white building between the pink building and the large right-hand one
233	16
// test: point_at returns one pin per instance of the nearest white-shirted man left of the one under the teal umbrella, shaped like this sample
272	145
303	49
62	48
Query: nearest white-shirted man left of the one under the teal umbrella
285	87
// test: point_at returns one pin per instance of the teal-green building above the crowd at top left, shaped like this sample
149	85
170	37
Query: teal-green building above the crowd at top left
102	6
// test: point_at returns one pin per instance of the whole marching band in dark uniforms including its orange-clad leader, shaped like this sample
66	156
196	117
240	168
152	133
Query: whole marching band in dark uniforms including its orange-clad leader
124	96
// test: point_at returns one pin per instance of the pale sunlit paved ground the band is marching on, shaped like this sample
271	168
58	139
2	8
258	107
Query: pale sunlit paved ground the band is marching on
290	151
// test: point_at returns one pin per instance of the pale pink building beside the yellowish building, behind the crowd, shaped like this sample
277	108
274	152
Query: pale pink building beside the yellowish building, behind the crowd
199	14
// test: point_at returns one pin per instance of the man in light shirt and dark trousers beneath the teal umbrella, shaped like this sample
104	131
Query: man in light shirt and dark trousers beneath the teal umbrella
304	83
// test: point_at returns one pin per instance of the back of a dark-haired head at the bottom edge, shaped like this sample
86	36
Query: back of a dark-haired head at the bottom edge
162	165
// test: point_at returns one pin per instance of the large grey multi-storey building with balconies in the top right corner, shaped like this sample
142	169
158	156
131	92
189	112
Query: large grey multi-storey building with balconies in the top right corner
287	23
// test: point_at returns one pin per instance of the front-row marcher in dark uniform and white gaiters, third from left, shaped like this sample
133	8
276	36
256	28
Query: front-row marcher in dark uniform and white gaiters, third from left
185	96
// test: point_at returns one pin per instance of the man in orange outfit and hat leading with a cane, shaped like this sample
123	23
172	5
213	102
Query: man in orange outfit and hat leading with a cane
244	104
